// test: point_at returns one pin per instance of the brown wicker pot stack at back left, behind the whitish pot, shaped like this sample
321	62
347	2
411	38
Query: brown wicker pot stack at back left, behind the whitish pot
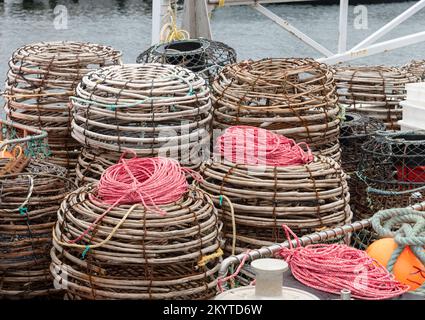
41	79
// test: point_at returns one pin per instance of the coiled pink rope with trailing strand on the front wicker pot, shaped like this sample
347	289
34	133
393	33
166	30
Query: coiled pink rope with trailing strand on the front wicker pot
149	181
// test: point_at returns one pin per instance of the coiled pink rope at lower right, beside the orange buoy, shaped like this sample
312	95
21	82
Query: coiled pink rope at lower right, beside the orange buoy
333	267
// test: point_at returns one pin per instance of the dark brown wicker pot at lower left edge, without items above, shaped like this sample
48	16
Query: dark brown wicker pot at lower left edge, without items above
28	209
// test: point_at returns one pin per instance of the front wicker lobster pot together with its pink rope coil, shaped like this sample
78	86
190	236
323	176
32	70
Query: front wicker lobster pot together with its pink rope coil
157	241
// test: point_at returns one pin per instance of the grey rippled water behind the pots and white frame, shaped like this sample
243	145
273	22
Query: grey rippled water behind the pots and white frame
126	25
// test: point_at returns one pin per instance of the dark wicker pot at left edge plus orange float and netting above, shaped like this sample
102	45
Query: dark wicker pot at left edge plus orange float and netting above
31	191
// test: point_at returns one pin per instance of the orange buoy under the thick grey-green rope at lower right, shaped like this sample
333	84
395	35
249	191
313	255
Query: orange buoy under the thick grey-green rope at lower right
408	269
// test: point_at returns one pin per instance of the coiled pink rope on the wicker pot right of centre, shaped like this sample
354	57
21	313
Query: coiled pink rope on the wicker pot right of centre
256	146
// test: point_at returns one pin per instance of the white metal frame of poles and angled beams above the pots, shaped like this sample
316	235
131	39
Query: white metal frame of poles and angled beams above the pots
365	48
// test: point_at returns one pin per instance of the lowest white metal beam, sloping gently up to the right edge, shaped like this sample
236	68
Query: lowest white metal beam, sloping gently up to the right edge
376	48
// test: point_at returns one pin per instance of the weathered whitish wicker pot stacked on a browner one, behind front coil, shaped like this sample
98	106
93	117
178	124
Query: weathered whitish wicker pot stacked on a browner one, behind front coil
149	109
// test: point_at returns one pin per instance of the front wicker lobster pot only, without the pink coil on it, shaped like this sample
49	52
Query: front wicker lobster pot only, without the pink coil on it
151	256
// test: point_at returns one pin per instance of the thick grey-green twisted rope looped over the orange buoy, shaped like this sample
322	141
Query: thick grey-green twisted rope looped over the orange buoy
410	226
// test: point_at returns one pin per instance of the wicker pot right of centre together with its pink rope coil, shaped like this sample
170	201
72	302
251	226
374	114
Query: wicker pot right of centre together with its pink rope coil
262	180
